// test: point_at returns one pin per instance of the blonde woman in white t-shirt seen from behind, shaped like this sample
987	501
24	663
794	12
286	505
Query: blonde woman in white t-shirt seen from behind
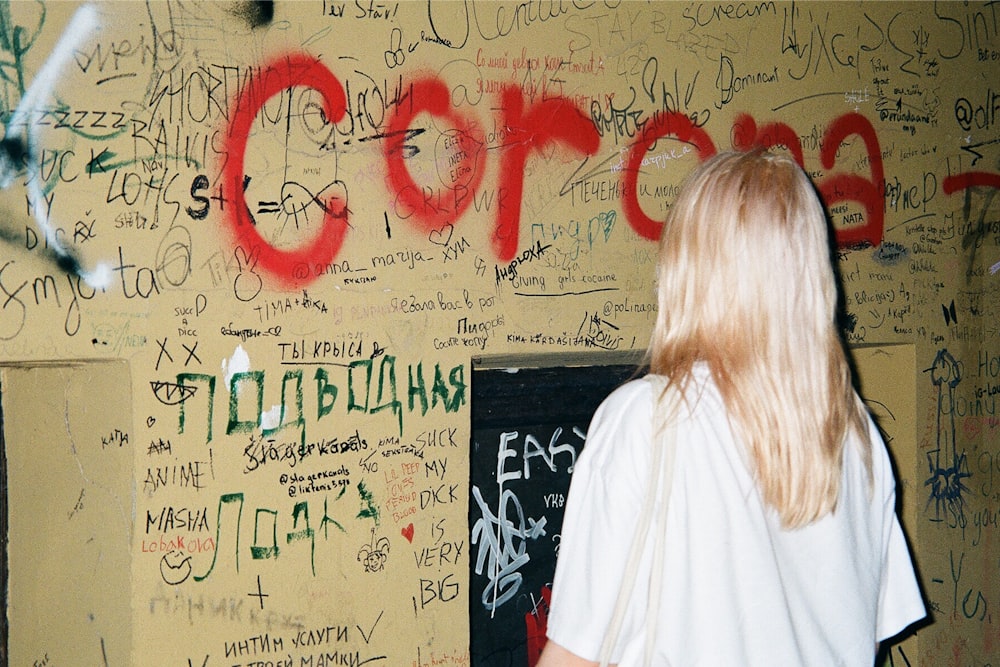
782	545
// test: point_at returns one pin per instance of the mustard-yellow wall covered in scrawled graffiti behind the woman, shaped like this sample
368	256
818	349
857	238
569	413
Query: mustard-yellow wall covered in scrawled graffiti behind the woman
299	224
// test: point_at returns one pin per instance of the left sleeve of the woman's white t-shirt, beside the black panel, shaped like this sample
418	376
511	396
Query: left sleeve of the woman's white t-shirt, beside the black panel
601	514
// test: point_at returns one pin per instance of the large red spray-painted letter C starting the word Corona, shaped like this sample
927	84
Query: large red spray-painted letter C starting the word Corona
282	73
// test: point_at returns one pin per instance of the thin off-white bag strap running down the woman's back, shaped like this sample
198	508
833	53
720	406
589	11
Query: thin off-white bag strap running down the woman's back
661	473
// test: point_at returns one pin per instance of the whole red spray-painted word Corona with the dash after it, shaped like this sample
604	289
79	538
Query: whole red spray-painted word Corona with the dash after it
551	122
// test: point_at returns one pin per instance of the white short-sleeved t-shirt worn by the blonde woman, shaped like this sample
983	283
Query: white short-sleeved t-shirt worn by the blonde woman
737	588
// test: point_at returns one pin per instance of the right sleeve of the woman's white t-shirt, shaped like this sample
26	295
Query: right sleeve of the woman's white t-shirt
900	602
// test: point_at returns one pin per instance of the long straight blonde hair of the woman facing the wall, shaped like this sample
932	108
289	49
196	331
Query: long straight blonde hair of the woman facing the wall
746	284
